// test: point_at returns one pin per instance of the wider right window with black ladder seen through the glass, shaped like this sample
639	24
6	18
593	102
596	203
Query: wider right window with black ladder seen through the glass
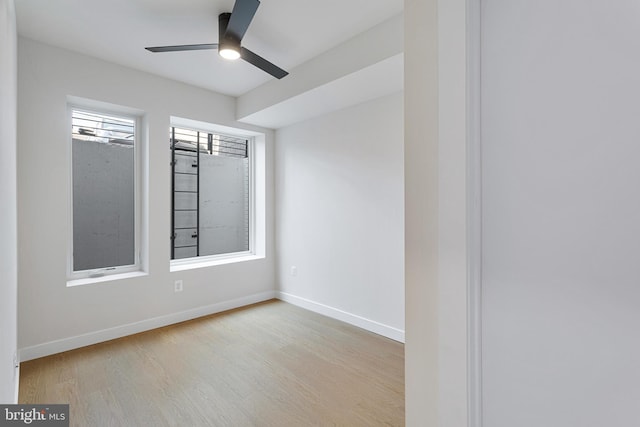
211	193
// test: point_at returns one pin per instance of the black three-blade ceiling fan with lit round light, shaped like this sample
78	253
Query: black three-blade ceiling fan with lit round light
231	28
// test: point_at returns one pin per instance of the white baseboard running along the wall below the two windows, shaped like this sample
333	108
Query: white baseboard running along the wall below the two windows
65	344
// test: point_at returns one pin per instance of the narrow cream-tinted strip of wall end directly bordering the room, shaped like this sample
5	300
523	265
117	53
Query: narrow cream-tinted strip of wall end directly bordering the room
421	207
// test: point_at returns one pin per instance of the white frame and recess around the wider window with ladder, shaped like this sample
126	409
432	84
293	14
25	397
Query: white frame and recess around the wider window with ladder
257	200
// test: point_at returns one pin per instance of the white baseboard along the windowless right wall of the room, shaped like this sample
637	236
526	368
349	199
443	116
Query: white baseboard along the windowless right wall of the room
353	319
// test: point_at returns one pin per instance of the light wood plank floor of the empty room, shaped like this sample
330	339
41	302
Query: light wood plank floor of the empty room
270	364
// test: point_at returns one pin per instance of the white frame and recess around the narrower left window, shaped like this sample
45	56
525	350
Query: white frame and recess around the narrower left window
76	277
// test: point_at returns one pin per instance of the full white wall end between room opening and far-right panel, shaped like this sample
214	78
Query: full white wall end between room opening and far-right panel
436	207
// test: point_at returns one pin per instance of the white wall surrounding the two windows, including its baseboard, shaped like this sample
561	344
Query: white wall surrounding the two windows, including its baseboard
48	309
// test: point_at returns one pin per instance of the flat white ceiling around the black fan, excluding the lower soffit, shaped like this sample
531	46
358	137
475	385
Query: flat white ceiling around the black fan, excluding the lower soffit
286	32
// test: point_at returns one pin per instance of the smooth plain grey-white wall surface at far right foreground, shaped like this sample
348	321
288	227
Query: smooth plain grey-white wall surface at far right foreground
561	270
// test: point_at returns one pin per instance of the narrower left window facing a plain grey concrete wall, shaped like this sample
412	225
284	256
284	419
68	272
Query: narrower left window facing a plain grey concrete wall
104	165
